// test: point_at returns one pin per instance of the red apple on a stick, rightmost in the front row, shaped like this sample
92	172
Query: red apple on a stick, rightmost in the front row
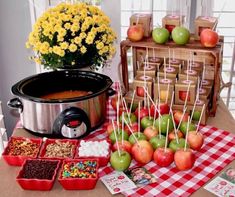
184	159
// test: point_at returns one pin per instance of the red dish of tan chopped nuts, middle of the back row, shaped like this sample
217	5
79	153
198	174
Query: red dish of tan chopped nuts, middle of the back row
58	149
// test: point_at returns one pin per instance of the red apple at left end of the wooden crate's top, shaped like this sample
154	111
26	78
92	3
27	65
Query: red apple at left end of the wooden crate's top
135	33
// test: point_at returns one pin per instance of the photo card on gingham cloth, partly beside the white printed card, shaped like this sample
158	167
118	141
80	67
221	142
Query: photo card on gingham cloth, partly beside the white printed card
140	176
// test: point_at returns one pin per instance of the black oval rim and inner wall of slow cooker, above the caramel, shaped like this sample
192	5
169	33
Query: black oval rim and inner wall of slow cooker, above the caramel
34	87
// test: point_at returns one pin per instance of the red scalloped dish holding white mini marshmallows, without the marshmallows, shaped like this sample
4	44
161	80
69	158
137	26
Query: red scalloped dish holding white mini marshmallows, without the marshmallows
103	160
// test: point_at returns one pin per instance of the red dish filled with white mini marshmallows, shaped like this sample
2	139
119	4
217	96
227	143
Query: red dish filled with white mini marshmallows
94	149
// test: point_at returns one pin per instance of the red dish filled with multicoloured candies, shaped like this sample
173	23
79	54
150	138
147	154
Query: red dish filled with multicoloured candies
79	174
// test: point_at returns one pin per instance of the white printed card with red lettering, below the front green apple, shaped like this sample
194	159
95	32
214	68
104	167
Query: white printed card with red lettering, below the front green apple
117	182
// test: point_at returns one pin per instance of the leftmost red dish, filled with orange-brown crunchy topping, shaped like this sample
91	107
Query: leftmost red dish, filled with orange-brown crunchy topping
18	150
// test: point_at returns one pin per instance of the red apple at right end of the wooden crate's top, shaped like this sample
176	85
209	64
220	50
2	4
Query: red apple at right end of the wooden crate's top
209	38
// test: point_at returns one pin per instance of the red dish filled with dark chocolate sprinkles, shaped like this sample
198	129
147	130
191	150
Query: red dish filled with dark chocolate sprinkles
38	174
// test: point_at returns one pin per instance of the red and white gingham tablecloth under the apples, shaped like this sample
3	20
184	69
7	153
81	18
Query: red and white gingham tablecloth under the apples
218	151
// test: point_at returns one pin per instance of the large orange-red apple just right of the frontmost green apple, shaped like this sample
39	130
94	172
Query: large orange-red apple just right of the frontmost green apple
142	152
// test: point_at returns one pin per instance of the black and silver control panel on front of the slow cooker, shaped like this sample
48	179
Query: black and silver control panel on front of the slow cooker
73	122
